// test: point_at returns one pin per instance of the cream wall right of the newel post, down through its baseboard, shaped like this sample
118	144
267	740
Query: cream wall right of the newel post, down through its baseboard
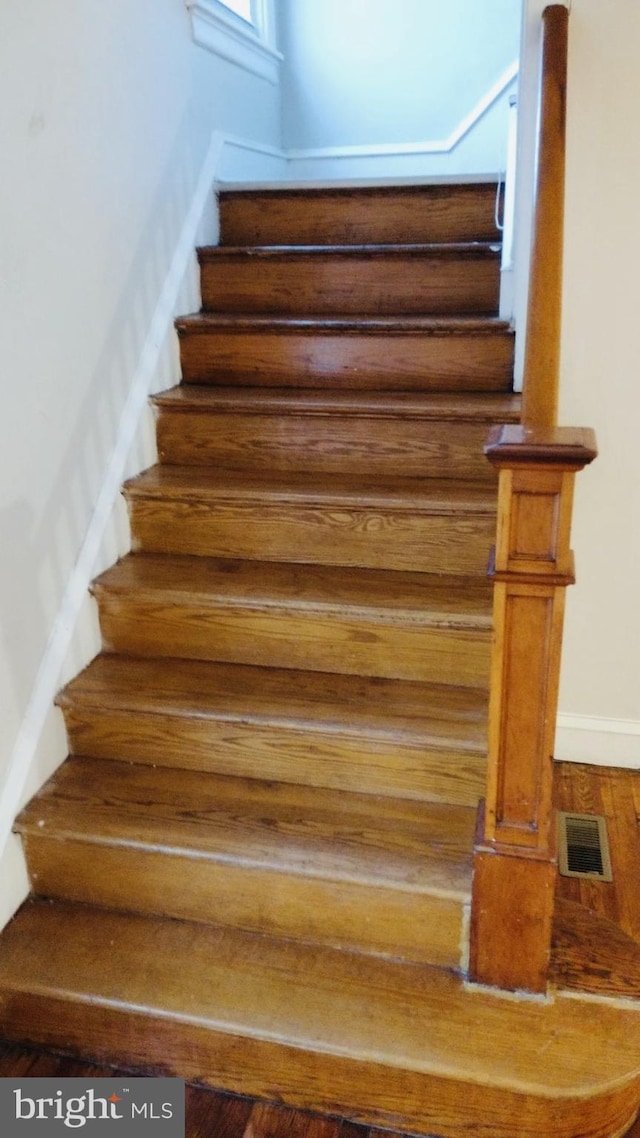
601	383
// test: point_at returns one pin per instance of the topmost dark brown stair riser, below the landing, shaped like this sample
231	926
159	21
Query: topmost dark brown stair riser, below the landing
449	213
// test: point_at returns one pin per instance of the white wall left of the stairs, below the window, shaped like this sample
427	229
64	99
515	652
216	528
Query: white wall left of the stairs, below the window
106	117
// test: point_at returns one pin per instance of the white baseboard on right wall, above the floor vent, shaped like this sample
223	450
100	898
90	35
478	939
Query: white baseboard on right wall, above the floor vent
598	741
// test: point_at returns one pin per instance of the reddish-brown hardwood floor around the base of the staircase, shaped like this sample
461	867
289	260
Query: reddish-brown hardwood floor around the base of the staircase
214	1115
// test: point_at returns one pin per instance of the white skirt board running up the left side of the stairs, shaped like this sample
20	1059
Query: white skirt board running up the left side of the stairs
42	741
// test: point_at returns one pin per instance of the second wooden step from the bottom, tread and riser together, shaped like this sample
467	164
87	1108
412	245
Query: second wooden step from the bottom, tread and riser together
321	867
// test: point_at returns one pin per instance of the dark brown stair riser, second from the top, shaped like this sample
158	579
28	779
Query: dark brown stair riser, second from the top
374	285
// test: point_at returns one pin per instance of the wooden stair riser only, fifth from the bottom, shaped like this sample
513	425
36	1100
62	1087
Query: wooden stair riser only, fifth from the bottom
329	535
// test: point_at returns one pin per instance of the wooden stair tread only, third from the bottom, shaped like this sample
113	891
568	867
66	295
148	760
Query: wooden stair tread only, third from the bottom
409	712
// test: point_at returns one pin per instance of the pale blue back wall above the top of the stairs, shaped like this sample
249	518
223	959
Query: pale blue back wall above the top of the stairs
378	73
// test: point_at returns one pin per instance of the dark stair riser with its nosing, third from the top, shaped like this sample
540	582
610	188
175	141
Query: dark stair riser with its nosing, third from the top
446	354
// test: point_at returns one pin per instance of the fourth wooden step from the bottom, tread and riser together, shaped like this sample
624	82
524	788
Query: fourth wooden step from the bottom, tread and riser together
404	626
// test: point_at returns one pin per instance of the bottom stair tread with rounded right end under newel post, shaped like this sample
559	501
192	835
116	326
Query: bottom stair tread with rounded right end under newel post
318	1001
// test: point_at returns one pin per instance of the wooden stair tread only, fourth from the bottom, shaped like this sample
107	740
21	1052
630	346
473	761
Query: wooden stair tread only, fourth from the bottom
422	599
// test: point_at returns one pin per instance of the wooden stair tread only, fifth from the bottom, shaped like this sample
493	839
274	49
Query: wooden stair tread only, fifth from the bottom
434	496
